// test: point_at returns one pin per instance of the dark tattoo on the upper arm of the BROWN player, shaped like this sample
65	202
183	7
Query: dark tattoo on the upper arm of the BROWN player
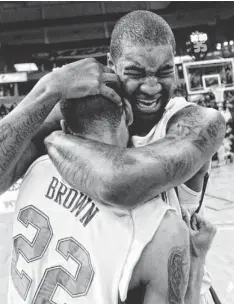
178	271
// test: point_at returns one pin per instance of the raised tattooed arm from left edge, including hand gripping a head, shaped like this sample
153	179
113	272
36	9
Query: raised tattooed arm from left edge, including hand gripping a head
23	130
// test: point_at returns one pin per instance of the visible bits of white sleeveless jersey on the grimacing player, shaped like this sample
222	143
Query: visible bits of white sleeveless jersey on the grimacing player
186	197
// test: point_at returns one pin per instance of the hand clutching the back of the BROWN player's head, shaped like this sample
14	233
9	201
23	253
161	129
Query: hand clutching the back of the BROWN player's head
82	78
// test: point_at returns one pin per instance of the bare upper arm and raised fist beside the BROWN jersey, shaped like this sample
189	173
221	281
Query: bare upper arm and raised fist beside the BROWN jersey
174	274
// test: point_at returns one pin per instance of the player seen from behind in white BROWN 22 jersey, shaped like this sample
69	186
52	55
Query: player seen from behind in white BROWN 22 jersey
69	248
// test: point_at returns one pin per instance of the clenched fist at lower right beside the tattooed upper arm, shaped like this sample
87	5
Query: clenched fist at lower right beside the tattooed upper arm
201	232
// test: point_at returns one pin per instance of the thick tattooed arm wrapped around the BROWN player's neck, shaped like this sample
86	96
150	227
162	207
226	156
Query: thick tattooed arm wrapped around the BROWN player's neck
130	176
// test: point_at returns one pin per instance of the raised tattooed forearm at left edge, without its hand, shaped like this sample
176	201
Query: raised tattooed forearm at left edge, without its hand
18	133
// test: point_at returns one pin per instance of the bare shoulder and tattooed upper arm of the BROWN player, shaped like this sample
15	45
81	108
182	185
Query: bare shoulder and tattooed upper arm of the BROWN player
161	274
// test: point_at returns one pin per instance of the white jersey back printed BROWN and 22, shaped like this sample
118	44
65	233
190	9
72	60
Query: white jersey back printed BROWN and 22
67	248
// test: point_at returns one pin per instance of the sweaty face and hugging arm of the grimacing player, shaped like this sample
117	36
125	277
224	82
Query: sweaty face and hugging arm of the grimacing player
130	176
